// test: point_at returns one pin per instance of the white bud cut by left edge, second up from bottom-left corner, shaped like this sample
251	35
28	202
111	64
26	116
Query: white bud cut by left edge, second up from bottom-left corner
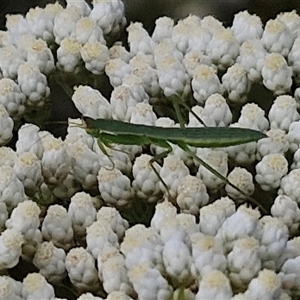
11	241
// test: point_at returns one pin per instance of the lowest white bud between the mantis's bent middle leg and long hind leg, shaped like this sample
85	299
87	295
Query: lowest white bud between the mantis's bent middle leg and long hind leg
191	195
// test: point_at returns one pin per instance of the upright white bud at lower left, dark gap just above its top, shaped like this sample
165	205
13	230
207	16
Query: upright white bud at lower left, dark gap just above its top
57	227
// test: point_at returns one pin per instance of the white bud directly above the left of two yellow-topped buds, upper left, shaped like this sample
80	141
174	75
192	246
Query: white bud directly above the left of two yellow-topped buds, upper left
65	23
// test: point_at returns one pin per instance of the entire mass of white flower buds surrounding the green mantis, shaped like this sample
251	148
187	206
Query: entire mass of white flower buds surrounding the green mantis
98	219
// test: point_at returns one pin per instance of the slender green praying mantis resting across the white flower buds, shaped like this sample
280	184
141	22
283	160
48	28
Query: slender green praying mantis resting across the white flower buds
109	132
